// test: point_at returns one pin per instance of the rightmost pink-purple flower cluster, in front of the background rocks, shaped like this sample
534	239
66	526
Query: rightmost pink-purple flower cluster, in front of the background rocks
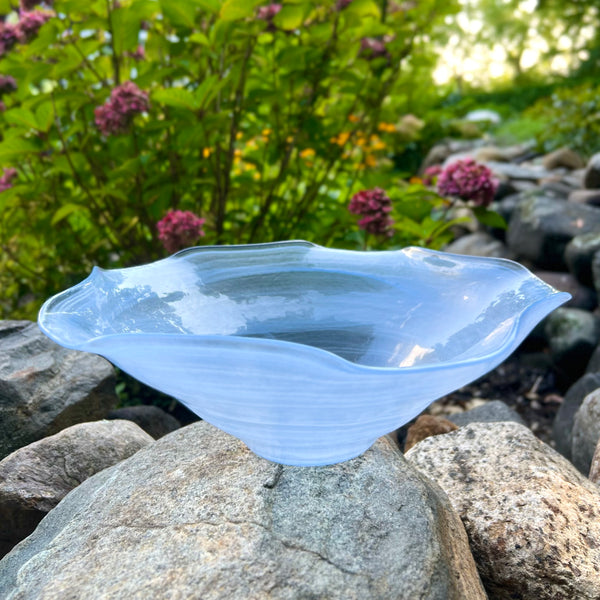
468	180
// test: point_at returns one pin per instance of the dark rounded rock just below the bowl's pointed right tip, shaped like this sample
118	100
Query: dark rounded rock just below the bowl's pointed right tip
572	335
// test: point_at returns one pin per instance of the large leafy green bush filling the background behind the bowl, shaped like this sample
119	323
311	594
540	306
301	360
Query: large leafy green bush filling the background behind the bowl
263	127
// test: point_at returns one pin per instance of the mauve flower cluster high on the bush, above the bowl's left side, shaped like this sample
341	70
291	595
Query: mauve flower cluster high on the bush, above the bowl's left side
116	115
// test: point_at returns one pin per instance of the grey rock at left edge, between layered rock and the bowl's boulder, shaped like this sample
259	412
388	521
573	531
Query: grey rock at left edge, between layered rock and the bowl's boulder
34	479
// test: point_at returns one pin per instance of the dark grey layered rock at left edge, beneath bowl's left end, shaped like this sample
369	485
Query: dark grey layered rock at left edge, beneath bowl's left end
45	388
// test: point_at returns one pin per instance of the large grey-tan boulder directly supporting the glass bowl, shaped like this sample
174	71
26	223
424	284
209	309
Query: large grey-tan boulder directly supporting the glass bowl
197	515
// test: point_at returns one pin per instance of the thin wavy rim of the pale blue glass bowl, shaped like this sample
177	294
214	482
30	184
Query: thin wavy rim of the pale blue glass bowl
553	301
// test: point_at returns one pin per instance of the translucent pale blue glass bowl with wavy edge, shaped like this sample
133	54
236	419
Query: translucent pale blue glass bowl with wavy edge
307	354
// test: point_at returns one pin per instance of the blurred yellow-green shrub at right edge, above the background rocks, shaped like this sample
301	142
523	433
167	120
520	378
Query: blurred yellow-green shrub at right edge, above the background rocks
572	118
